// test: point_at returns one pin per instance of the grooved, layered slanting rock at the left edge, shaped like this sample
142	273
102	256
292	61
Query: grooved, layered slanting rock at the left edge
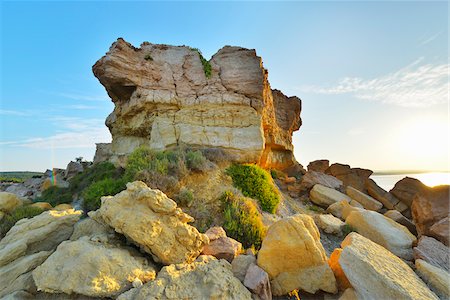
28	243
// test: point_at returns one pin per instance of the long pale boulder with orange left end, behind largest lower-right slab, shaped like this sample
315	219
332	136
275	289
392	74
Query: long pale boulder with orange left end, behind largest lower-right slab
383	231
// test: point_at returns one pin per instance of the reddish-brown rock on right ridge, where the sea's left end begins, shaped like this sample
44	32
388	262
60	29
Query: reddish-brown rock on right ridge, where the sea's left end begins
355	177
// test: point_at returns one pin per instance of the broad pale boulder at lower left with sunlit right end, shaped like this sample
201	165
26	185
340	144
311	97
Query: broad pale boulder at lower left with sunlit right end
91	269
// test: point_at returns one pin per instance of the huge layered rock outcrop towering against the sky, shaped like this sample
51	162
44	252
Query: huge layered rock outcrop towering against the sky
163	99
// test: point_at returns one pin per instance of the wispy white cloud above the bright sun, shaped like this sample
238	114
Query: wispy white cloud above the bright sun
416	85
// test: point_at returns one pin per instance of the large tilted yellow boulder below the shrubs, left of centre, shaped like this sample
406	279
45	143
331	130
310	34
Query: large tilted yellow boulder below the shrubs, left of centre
157	225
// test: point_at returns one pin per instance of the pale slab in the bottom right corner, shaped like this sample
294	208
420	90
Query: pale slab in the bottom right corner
435	277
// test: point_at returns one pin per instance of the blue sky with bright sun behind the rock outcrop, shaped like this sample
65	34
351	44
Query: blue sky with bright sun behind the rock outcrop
373	76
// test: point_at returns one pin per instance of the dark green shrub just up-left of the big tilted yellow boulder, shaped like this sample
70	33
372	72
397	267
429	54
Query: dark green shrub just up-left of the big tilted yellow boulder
105	187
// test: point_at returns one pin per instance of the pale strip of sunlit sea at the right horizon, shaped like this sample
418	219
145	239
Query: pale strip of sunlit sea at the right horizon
430	179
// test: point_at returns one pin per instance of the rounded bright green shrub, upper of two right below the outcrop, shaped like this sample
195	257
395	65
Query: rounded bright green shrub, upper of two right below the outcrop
255	182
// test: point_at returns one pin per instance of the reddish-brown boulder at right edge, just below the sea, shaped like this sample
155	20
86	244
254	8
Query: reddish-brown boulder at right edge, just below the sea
430	207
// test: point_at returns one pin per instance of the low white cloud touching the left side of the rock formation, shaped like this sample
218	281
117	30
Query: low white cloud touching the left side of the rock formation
75	133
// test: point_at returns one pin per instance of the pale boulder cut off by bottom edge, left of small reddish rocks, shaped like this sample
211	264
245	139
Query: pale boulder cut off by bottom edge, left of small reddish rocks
205	278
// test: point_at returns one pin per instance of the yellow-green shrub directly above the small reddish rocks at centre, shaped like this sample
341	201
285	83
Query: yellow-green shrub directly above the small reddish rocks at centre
242	220
